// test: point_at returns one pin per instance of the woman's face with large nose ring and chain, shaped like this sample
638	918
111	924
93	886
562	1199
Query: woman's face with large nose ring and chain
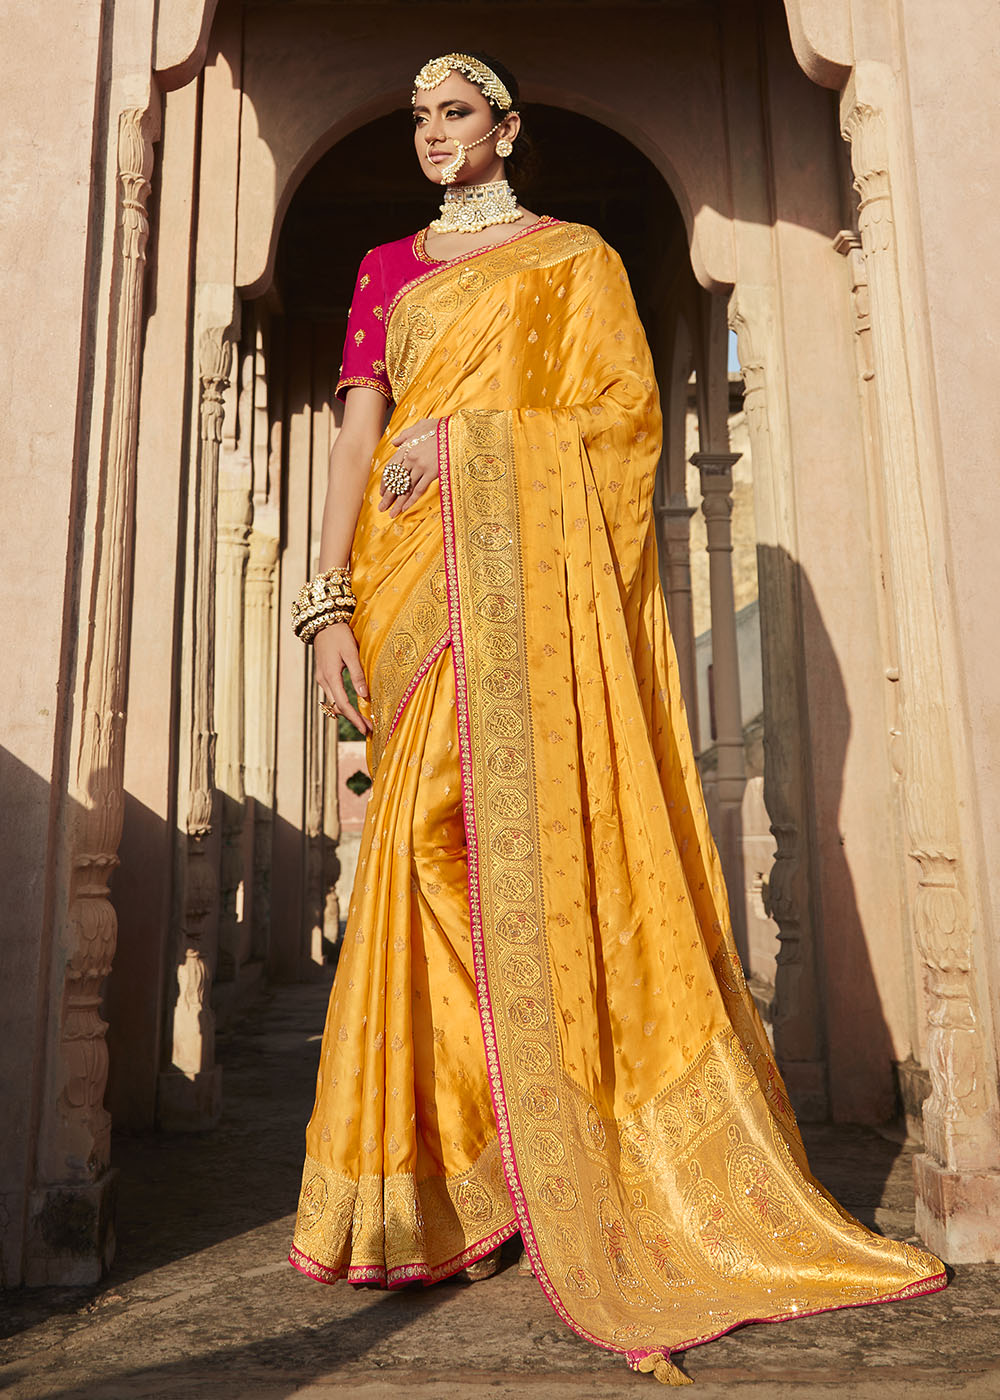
457	111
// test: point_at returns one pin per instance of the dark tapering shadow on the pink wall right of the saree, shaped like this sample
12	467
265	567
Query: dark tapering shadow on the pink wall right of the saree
814	878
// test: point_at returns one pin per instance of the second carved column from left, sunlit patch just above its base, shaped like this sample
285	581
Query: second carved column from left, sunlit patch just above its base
191	1090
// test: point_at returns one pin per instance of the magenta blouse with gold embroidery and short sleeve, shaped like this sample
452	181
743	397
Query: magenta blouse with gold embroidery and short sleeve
383	274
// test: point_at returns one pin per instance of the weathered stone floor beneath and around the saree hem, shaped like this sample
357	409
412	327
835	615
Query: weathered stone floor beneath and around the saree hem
201	1304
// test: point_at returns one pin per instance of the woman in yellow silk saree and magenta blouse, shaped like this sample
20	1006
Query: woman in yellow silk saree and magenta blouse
540	1023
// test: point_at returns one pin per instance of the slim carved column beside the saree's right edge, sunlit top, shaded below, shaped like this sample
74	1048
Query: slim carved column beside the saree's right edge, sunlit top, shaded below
798	1021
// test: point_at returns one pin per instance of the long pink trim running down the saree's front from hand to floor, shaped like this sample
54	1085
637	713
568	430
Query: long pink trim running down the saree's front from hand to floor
485	1002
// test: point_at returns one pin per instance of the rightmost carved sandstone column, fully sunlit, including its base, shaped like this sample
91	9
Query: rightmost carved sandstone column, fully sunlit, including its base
959	1185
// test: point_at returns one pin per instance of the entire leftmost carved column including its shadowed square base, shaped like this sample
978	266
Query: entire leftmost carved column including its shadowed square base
72	1233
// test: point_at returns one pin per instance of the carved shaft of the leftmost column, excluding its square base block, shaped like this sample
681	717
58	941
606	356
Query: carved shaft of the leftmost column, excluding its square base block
79	1146
